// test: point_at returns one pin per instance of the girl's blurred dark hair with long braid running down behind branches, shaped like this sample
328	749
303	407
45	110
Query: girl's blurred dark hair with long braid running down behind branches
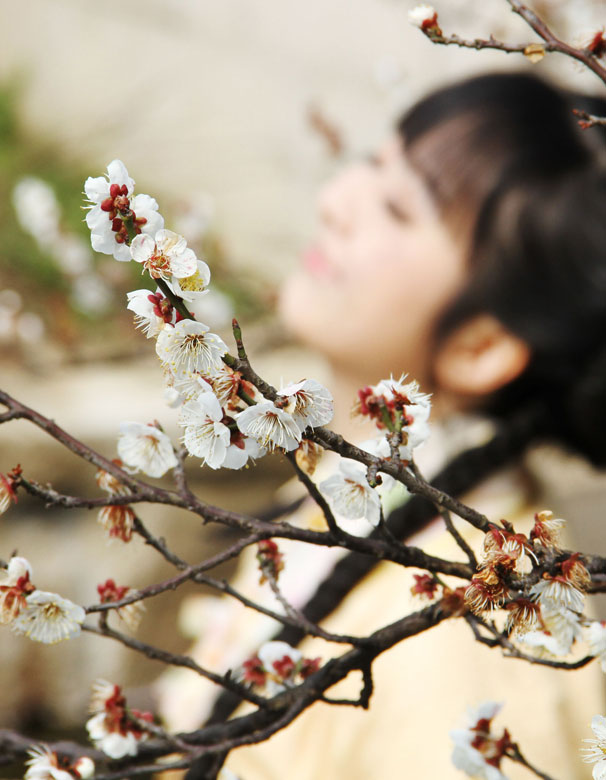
517	179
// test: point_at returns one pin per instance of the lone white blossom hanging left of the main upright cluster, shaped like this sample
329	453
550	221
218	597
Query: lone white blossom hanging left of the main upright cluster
146	448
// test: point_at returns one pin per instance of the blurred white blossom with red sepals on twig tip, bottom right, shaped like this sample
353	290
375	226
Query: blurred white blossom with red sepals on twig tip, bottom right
474	746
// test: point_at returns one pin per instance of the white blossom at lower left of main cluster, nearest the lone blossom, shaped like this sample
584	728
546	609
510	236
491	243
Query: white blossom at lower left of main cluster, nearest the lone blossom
205	435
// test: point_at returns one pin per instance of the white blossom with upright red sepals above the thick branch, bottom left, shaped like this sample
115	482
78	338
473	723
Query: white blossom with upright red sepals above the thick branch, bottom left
114	728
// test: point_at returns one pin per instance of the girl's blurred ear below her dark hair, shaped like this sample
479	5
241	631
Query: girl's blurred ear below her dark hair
479	357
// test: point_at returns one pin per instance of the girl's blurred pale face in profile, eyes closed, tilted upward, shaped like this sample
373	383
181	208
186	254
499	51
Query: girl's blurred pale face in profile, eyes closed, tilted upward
381	269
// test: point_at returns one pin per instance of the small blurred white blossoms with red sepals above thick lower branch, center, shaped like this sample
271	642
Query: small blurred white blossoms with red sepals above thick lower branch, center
277	666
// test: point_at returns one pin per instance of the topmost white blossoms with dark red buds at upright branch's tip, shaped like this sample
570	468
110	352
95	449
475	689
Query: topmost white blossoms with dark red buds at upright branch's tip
110	198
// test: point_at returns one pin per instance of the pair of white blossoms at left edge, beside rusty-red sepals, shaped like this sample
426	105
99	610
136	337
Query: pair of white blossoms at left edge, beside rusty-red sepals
40	615
